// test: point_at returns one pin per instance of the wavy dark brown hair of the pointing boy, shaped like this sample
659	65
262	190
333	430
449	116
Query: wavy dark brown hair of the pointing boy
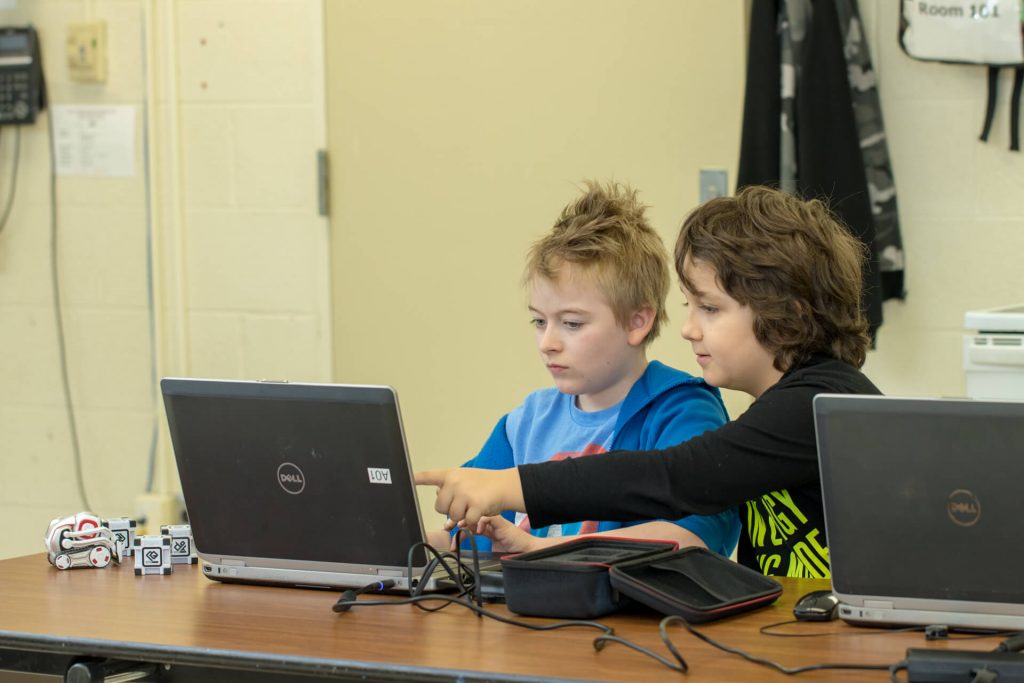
792	263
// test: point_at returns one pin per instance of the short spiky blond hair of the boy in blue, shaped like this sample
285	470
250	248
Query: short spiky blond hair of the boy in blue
607	234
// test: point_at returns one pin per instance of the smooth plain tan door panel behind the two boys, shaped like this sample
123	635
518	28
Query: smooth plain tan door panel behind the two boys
458	131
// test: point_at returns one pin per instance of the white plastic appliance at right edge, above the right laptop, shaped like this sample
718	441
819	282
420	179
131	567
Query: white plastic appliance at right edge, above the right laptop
994	357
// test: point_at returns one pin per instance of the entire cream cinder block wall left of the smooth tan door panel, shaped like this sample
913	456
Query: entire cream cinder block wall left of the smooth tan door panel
229	106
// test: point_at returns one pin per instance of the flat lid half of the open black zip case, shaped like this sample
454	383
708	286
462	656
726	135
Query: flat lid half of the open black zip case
696	584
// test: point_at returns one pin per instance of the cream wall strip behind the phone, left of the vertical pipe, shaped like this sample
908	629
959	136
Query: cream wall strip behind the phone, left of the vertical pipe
102	243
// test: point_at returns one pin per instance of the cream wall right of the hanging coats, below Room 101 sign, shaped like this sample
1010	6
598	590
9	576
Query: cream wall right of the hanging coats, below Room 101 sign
961	208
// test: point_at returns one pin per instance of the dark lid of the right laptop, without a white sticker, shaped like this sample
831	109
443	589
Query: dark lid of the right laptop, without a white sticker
922	497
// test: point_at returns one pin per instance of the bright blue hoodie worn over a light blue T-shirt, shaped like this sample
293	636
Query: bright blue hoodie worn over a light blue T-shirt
664	408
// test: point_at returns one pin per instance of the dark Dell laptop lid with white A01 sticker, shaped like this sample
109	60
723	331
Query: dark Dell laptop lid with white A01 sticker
314	474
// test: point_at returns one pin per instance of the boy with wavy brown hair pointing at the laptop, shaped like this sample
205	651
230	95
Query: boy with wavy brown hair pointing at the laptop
773	285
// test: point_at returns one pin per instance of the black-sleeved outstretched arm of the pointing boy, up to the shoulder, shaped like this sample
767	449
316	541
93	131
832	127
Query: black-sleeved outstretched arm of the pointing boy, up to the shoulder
770	448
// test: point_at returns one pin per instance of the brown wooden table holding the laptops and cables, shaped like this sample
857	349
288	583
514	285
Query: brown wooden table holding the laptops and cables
200	630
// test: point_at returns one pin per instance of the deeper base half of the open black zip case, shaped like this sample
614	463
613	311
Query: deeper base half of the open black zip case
572	580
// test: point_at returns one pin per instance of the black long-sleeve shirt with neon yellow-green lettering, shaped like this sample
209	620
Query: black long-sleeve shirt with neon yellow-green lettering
764	462
